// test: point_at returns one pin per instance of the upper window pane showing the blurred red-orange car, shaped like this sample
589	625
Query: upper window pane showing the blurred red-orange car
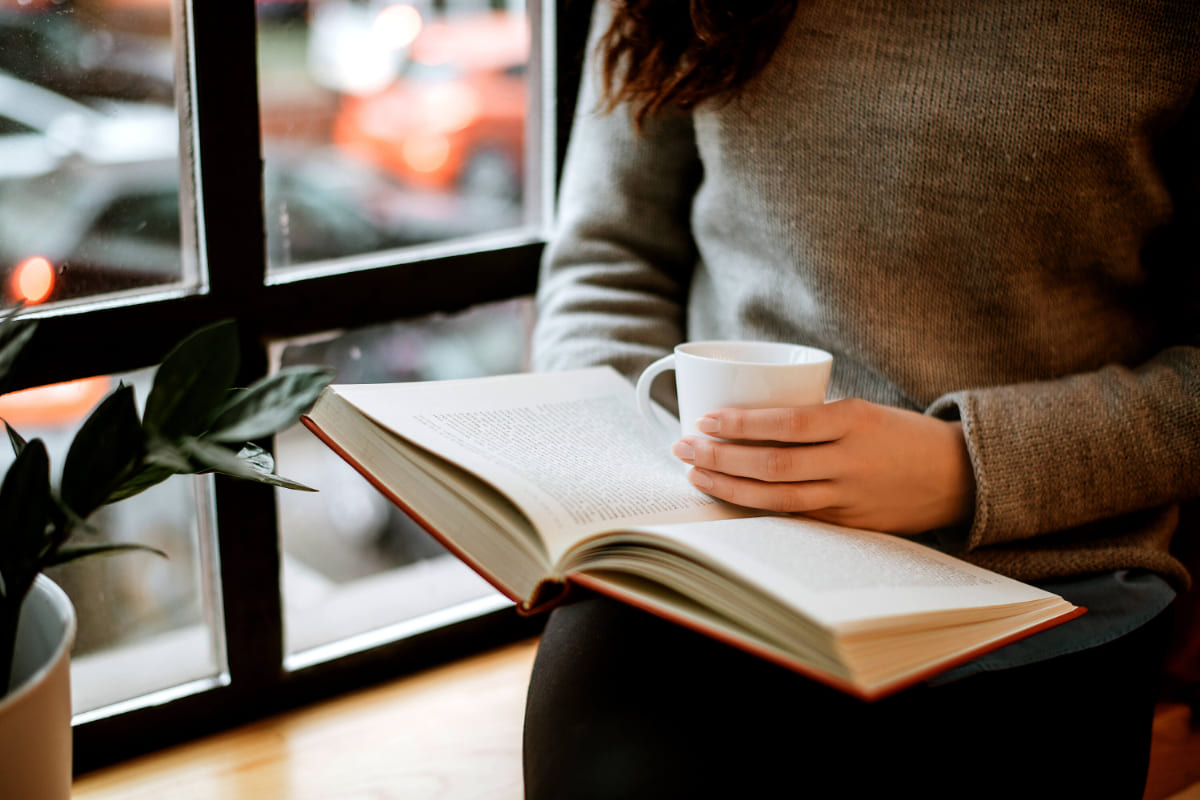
389	124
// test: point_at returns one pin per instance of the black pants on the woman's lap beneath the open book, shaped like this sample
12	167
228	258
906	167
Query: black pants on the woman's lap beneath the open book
626	706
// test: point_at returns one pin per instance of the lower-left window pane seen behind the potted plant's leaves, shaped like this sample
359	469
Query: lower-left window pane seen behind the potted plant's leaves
147	624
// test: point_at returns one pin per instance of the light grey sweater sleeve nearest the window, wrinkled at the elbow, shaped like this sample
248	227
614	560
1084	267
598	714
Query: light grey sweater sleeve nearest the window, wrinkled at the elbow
615	276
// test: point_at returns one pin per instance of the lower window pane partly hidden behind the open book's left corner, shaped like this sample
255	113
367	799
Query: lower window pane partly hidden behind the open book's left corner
353	564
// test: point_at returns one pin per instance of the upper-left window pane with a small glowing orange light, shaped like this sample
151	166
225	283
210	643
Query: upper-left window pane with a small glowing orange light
89	152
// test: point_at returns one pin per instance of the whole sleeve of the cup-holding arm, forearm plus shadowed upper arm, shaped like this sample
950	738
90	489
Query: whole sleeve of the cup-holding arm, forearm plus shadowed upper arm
1061	454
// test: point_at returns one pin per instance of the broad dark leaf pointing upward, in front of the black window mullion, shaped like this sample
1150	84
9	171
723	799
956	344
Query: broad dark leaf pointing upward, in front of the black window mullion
193	382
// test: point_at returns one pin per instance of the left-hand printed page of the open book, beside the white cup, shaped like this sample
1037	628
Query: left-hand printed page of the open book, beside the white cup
571	449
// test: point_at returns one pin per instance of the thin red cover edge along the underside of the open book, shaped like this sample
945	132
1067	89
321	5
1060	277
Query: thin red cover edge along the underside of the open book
551	594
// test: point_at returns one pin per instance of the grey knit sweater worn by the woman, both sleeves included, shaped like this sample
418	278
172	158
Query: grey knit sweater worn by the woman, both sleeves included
985	210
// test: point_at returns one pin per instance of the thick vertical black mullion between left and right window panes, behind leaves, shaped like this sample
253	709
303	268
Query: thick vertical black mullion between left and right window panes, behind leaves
231	189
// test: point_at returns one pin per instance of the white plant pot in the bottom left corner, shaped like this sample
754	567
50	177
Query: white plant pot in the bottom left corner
35	715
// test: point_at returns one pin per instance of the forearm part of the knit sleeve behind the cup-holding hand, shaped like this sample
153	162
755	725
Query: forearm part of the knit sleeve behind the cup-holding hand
1057	455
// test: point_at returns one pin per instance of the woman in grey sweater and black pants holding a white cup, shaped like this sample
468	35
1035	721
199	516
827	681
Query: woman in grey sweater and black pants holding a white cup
989	214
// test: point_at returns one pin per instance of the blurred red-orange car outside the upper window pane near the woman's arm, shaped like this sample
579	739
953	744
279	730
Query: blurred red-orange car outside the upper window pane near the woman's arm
455	117
